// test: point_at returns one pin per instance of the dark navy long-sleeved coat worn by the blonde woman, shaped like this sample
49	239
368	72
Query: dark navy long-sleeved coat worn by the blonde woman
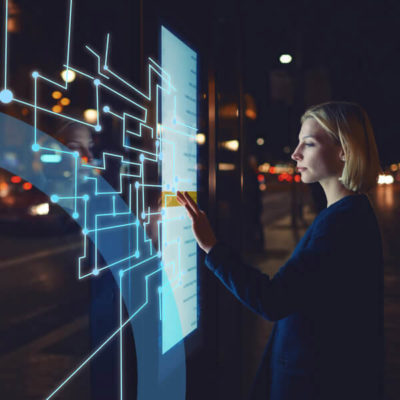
327	299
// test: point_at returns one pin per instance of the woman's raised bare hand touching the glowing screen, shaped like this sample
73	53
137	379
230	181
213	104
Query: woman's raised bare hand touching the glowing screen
200	225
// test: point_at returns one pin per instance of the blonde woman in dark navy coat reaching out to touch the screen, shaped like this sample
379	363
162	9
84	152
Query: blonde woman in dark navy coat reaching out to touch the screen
327	298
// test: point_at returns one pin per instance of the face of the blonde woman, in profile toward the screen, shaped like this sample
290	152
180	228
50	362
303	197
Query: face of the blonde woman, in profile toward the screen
317	155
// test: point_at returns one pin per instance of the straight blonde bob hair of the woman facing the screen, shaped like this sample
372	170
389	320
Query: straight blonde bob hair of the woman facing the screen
350	127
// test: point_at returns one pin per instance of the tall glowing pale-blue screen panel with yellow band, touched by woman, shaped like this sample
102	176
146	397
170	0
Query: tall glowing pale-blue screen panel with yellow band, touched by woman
179	158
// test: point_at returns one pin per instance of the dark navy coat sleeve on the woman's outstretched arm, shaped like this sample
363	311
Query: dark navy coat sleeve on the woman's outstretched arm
294	287
